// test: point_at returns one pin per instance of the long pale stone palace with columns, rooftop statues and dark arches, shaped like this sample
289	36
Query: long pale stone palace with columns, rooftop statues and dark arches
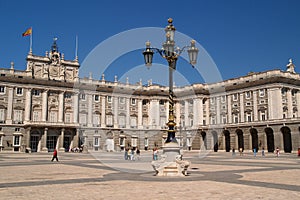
48	106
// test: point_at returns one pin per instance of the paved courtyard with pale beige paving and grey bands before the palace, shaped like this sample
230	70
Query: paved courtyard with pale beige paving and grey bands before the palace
103	175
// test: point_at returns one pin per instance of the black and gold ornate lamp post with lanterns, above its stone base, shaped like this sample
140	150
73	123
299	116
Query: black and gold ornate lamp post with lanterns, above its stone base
171	54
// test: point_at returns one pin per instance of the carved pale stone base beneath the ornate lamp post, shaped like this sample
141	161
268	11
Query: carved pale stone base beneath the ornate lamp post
171	163
